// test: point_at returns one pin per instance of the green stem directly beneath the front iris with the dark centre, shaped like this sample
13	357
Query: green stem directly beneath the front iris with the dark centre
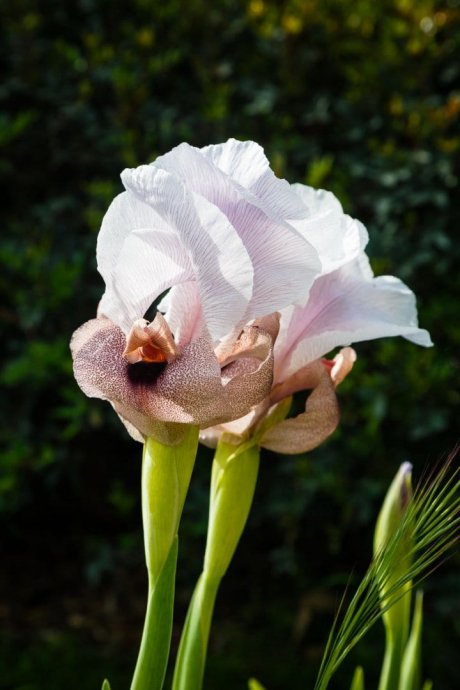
166	472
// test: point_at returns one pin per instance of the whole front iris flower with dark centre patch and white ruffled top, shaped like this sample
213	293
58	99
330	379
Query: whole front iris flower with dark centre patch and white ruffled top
219	246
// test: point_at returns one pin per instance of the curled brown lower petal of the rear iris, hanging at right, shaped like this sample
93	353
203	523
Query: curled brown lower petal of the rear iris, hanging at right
312	427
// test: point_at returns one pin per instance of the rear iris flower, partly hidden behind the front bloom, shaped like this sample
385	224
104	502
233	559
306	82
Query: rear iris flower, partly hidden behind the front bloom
345	305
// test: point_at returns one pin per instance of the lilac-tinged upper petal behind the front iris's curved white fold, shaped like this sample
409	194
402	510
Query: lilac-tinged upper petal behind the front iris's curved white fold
284	262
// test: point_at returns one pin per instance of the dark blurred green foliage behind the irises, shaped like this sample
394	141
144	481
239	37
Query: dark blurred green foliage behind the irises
360	97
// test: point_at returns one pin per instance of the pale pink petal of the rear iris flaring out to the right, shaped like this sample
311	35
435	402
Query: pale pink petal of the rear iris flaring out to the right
344	308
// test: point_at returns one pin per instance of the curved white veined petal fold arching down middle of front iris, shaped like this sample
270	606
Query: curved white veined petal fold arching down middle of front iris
220	262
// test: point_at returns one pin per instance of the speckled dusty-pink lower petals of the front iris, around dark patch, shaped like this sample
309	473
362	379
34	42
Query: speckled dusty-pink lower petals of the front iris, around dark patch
189	390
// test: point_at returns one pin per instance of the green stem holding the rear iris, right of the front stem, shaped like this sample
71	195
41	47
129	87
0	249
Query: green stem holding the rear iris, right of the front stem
233	481
